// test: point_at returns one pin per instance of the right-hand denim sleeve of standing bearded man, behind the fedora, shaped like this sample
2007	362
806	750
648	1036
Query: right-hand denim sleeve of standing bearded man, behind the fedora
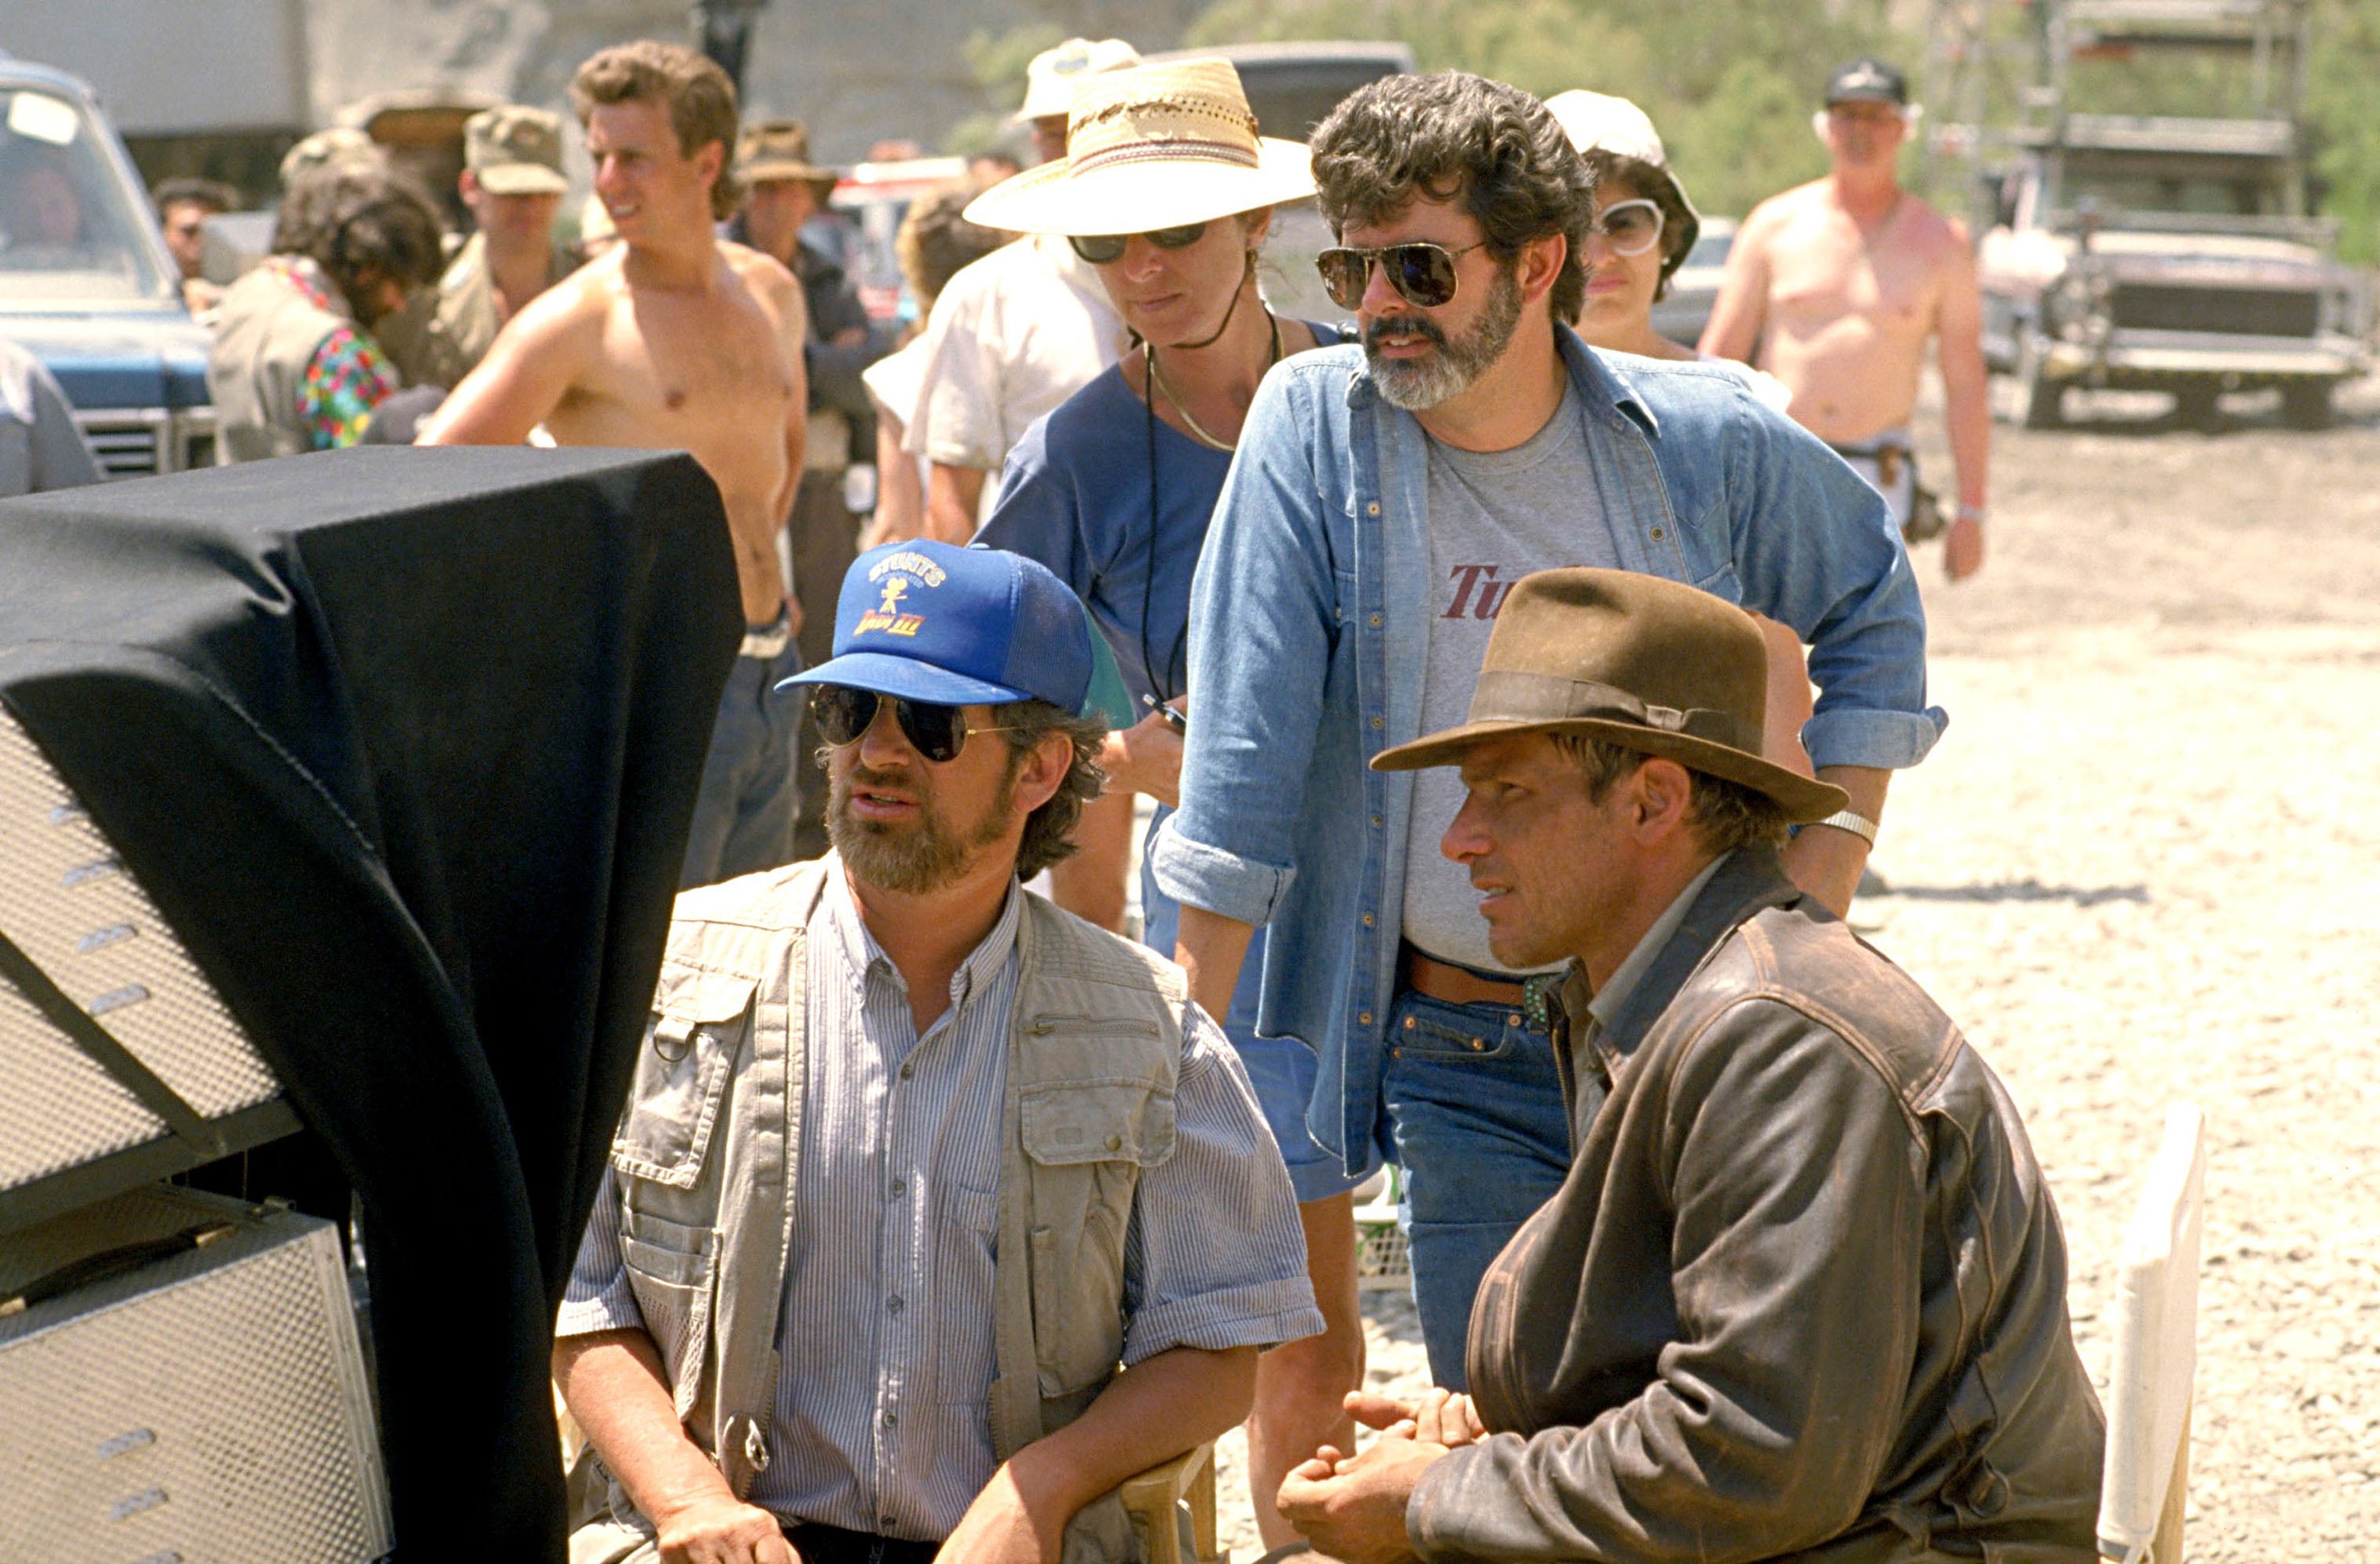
1817	551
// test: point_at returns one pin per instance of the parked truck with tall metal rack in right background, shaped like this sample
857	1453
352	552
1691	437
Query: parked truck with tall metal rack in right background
2172	254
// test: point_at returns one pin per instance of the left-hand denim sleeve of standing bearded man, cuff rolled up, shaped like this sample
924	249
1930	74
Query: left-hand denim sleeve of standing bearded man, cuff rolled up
1263	625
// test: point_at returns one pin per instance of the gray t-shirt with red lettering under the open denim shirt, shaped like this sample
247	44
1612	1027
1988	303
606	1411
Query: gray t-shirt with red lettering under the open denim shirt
1496	518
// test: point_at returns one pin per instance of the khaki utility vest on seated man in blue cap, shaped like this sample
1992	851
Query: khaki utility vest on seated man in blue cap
713	1139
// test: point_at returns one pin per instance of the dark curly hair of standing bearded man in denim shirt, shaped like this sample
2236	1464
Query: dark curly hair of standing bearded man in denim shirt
1460	137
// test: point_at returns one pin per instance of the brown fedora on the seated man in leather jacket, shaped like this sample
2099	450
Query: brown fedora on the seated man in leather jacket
1639	661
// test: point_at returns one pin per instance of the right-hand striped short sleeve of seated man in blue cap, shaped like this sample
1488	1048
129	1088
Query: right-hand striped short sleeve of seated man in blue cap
1215	1256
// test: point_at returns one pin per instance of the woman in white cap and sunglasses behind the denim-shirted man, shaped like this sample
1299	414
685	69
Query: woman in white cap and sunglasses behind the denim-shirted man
1641	237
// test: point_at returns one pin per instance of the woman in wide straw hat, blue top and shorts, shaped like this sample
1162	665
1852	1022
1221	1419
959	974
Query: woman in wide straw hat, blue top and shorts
1167	192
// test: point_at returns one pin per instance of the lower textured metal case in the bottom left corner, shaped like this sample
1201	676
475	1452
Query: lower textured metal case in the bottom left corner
201	1408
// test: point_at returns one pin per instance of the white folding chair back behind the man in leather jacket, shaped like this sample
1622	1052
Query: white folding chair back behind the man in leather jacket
2157	1356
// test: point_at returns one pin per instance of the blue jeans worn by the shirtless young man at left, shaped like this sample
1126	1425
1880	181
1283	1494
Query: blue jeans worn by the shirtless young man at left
751	784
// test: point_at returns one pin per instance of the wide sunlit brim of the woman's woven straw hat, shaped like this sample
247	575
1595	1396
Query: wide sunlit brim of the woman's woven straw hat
1144	194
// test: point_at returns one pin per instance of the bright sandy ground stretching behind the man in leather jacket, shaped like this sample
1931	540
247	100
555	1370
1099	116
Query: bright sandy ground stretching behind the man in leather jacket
2143	868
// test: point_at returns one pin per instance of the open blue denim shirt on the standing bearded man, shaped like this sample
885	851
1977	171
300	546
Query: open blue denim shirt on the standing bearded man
1310	634
